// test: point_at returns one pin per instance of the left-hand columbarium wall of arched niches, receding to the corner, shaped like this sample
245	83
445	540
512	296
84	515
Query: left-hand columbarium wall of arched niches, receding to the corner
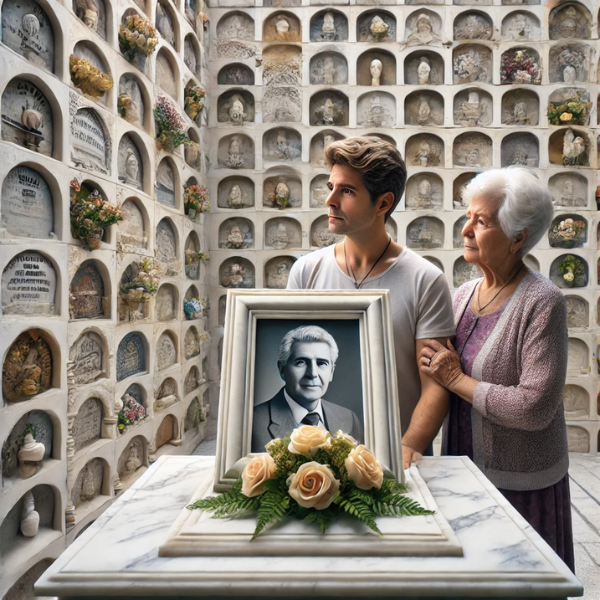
101	363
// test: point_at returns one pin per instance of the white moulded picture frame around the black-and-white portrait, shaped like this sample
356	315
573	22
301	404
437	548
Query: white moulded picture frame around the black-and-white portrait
371	309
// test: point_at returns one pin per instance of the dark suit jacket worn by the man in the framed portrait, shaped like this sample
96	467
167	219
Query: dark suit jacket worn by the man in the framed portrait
274	419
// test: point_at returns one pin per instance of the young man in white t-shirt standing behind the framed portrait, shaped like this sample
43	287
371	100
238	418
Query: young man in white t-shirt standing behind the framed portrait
366	183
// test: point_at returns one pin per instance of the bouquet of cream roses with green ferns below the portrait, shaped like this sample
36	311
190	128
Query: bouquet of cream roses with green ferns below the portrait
314	476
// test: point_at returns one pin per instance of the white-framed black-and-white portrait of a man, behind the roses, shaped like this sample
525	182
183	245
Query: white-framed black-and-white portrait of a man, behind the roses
306	357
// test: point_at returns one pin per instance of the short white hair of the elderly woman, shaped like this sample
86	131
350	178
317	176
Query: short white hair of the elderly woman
524	202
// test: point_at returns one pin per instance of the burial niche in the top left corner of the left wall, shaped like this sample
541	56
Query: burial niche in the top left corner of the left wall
27	31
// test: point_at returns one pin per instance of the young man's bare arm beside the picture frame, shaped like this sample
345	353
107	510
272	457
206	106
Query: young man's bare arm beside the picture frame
429	414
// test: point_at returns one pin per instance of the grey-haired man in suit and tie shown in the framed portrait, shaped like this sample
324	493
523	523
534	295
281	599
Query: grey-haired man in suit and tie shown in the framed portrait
306	362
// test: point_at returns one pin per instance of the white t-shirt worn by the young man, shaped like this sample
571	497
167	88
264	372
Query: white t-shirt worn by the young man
421	307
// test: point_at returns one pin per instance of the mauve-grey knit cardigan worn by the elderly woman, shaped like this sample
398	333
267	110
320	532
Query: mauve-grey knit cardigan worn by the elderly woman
518	423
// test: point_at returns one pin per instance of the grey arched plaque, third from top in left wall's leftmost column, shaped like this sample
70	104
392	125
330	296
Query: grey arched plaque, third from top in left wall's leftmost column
26	207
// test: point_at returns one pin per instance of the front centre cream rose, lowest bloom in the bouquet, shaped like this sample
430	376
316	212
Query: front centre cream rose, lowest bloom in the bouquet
313	486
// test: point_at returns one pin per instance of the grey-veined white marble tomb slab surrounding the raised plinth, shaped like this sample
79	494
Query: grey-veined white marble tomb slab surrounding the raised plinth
117	557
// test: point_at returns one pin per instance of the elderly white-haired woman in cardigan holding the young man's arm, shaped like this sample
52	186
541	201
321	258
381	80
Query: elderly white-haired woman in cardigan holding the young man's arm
507	373
